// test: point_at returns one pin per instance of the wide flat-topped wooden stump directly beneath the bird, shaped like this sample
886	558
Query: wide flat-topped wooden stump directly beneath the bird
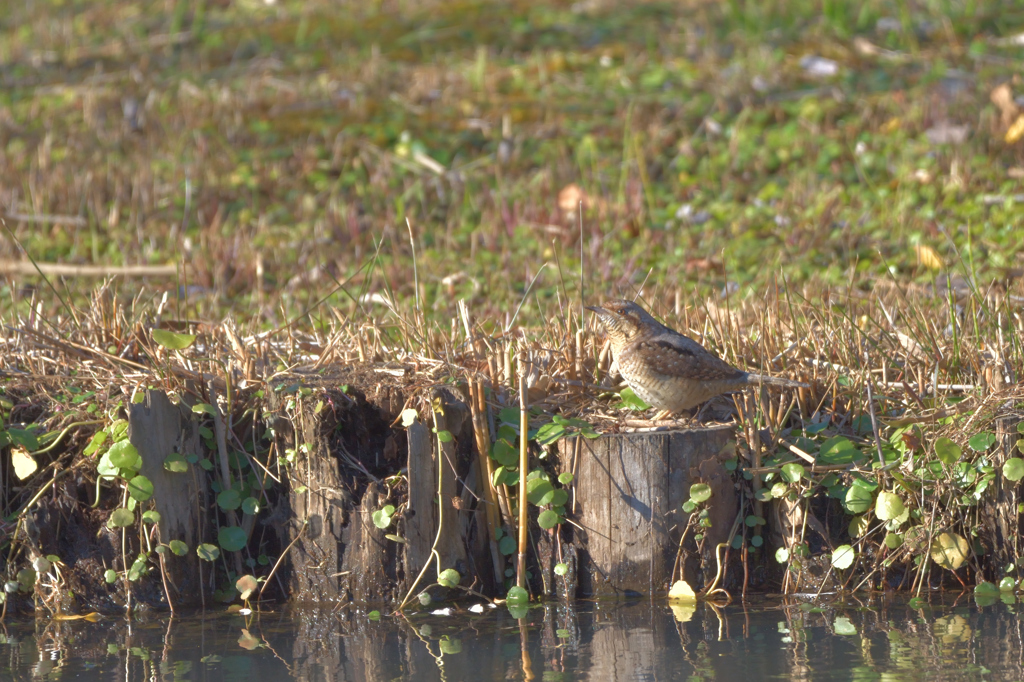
628	493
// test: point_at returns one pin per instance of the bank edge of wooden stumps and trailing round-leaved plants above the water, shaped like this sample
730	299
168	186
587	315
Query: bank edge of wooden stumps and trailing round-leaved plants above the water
366	488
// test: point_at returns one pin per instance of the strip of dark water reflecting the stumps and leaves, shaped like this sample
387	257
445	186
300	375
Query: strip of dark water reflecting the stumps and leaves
952	638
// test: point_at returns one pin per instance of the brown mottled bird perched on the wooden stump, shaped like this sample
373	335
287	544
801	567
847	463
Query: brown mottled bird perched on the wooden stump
666	369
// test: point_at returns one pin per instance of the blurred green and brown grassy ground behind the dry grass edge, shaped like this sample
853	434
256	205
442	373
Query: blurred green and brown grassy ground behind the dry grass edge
276	149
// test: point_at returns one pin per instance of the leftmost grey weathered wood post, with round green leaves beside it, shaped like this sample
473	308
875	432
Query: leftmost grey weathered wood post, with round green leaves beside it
157	428
